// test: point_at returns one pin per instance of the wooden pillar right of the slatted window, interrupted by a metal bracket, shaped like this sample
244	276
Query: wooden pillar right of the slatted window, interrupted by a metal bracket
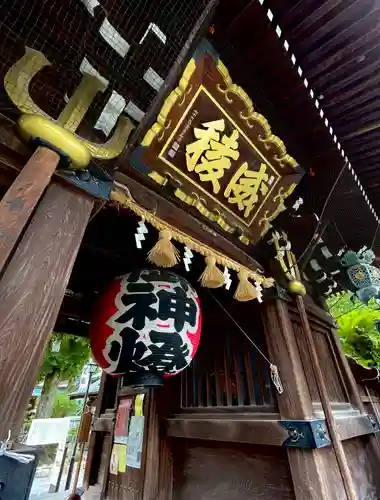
307	467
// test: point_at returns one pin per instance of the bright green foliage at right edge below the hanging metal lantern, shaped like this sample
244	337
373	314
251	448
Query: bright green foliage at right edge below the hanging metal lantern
357	329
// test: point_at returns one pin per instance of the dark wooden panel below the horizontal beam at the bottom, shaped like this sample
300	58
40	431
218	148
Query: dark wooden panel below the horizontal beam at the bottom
206	471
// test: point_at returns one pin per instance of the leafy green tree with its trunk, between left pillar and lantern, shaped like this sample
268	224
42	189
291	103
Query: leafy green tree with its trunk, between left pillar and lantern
66	364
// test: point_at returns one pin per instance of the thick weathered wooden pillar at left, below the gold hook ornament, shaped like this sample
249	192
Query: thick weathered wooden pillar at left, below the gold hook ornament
31	292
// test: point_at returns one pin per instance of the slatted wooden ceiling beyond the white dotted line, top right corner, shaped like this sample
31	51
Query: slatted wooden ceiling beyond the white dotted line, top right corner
337	44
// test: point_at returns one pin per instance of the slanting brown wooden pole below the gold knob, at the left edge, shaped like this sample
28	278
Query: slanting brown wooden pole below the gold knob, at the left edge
21	199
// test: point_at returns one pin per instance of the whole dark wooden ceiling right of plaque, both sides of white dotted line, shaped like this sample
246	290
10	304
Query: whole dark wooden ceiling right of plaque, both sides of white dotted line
337	45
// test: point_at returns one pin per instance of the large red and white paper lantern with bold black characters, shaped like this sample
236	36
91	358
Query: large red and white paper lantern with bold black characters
146	321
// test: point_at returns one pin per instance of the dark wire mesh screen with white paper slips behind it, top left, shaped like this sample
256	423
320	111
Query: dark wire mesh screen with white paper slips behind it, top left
129	45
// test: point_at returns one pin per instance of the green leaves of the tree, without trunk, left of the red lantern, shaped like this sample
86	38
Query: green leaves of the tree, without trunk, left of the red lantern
68	362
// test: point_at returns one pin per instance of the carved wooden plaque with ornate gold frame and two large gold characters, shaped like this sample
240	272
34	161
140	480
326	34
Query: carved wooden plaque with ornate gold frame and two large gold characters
222	154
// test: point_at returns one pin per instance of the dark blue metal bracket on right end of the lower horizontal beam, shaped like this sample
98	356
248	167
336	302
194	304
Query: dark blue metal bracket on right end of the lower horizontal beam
307	434
